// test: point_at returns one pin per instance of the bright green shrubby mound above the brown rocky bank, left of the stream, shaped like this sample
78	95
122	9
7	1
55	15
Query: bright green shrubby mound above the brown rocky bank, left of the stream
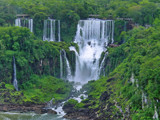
40	90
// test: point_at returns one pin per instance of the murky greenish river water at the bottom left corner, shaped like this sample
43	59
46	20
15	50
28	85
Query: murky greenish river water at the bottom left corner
28	116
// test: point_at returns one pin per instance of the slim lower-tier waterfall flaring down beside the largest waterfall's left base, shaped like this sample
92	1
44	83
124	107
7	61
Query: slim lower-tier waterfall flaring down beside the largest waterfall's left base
65	69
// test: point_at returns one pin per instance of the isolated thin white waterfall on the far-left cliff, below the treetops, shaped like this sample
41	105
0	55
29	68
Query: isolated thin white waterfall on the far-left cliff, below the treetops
15	83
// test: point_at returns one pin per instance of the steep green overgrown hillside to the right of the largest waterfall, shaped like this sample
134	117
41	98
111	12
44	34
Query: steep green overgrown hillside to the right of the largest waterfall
132	70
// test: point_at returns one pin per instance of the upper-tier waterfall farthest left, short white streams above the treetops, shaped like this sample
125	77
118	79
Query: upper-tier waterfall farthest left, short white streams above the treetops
24	22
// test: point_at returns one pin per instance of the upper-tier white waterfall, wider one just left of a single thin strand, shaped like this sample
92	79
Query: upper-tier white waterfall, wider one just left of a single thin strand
49	30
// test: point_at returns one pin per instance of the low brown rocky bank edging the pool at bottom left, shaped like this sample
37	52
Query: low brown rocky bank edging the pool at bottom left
39	109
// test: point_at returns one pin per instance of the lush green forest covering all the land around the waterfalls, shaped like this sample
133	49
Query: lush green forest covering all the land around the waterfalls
128	87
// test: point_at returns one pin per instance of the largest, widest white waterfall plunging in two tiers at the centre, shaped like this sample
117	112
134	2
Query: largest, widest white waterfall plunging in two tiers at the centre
92	36
